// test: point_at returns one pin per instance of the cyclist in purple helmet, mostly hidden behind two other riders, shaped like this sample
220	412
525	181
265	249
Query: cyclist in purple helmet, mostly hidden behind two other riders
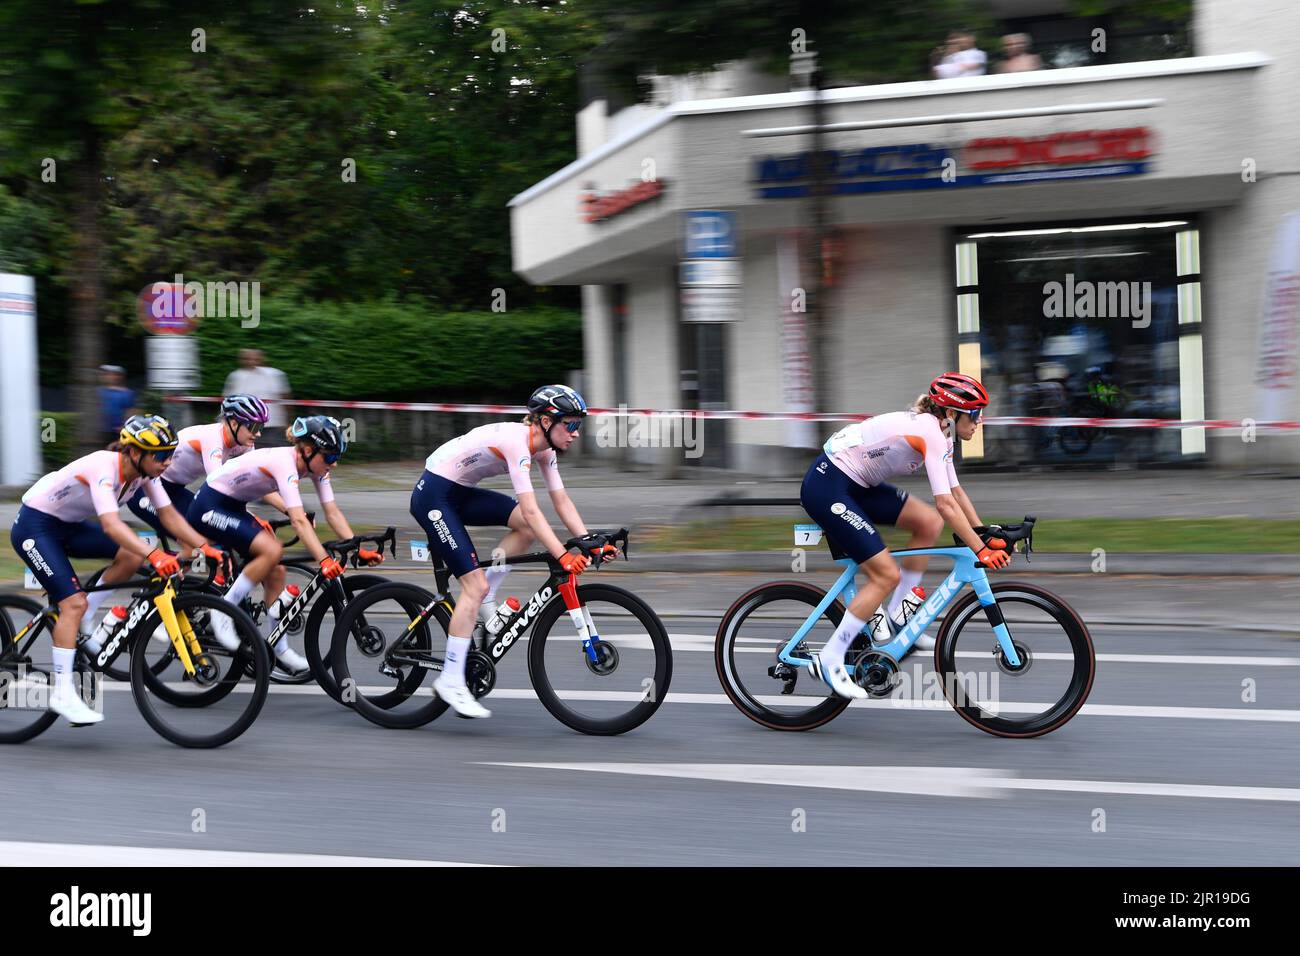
202	451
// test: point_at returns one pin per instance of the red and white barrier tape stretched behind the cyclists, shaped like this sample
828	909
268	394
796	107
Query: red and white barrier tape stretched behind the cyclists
1037	422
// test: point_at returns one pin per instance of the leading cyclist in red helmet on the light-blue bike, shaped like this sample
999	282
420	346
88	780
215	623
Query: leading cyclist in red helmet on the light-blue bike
847	494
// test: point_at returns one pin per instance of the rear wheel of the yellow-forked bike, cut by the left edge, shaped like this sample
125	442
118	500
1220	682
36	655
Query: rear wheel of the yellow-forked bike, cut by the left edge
27	673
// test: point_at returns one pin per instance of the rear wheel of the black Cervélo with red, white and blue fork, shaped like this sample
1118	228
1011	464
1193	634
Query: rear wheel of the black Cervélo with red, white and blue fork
384	663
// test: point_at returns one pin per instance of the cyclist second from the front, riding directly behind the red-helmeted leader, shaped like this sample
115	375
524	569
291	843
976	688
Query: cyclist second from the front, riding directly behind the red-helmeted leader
447	499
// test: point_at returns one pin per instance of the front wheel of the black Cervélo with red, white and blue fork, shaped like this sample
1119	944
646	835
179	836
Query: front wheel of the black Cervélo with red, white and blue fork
630	677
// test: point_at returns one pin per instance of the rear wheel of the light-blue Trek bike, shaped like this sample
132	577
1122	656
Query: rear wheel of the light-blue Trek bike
749	639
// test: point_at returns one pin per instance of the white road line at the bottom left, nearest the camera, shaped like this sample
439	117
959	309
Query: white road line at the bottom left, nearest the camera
96	855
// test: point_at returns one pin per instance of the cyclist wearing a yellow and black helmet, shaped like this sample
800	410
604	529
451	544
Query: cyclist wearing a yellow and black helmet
57	522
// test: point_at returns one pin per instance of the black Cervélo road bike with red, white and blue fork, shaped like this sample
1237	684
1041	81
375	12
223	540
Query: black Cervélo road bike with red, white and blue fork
606	673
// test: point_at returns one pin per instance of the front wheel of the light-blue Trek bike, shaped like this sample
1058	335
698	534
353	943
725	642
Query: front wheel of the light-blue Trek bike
1056	663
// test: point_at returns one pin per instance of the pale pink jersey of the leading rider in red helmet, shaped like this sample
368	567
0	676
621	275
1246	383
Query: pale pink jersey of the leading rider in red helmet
895	444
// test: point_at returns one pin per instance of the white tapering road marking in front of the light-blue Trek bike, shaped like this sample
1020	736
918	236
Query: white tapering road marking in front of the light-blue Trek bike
951	782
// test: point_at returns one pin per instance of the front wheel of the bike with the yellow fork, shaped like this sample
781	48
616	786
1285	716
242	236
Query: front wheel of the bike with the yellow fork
229	690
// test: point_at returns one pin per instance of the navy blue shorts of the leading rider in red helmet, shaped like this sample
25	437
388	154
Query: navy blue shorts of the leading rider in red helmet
847	512
